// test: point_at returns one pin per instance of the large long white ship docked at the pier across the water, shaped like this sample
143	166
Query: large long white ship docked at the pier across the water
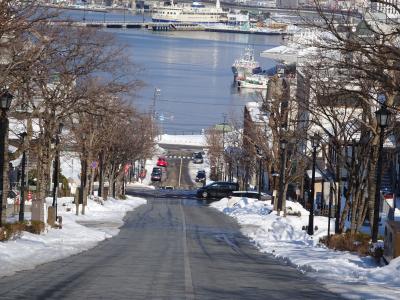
188	13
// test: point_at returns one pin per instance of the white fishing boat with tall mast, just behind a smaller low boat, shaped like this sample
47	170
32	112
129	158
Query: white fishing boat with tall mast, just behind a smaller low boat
246	65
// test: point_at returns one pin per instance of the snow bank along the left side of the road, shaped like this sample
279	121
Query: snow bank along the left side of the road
31	250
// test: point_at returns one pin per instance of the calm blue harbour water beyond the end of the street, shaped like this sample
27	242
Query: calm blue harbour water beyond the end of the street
190	70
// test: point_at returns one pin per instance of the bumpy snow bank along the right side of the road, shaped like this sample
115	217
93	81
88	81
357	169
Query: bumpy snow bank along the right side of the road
343	272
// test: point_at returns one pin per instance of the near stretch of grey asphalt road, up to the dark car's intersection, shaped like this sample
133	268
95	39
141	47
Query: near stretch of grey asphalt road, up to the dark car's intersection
175	247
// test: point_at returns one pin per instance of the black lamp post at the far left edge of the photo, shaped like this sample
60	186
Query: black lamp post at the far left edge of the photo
5	103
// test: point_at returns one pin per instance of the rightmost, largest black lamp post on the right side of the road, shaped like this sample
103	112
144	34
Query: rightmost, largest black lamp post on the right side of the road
382	118
